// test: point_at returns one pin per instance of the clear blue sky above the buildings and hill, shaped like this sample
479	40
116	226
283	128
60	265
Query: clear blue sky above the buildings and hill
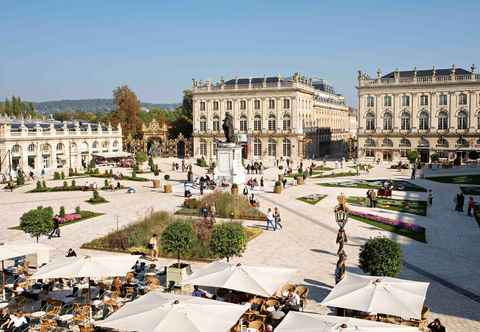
52	50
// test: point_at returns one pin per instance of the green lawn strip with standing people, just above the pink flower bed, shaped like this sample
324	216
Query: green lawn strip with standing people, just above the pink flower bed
400	205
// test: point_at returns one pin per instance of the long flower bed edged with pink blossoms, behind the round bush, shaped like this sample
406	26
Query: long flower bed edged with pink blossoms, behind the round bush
412	231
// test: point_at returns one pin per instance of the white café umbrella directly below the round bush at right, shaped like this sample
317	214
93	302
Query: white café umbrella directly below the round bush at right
392	296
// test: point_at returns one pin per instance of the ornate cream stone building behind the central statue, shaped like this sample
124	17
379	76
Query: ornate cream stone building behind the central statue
274	117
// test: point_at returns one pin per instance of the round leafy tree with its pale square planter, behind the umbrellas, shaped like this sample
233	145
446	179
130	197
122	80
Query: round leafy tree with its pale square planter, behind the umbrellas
177	238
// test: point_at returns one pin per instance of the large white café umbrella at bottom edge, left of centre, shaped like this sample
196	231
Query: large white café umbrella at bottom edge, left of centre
158	311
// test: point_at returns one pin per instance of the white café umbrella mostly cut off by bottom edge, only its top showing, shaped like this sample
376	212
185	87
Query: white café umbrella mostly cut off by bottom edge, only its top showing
303	322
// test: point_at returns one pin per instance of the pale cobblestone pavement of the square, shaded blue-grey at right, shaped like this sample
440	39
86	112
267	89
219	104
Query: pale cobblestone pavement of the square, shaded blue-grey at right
450	260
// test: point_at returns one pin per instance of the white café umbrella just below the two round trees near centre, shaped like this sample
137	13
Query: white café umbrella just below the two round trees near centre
258	280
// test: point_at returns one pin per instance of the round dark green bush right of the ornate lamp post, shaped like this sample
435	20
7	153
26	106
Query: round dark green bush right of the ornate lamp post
381	256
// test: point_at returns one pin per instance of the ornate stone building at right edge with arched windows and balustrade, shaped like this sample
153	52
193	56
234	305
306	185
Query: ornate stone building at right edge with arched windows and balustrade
436	110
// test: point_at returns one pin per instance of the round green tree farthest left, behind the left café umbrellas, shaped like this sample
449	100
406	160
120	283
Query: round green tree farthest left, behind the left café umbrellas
37	222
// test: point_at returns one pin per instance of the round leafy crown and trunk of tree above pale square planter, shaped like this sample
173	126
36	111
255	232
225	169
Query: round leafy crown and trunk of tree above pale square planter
178	237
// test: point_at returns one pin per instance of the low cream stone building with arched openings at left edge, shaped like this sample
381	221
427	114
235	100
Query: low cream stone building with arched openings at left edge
51	145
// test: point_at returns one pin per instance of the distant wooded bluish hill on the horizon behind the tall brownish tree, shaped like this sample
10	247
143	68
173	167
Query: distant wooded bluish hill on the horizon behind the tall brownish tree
88	105
